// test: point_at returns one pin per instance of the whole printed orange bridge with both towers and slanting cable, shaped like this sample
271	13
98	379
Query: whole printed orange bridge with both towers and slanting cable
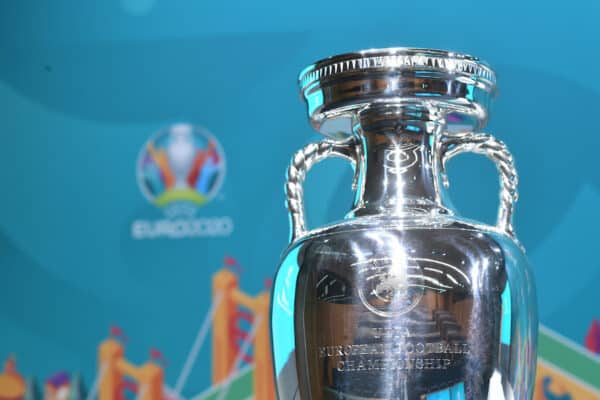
241	358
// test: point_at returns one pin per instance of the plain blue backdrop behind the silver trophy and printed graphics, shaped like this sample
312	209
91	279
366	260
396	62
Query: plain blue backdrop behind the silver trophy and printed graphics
83	87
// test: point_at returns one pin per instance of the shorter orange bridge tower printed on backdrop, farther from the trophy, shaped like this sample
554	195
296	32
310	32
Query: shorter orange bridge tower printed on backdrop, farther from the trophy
113	368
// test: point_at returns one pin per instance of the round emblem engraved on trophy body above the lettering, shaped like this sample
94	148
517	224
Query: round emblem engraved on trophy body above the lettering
391	288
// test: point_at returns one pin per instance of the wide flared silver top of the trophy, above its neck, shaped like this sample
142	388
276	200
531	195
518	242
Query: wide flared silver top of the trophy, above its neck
337	87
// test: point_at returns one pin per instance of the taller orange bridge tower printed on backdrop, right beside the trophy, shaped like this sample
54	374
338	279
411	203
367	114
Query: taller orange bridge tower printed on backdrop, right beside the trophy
226	333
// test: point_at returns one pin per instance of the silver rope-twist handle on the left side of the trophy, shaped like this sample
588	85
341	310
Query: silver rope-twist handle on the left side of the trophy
303	160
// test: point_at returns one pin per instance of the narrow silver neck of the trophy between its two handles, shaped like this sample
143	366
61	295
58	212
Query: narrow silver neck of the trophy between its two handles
400	164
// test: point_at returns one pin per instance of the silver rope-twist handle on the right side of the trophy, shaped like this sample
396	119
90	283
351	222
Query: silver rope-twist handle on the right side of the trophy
495	150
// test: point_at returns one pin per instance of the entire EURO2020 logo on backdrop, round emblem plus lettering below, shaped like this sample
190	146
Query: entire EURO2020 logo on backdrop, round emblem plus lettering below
180	169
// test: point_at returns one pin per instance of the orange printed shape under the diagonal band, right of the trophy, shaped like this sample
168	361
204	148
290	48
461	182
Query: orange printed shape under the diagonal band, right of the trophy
554	384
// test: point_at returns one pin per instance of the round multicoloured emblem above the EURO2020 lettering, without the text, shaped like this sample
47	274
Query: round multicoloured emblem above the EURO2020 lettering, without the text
182	163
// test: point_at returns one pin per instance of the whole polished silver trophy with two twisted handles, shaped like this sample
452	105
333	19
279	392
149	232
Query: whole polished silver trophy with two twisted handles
404	299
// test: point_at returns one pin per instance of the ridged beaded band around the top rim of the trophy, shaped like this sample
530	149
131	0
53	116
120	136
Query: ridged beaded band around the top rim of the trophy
398	58
